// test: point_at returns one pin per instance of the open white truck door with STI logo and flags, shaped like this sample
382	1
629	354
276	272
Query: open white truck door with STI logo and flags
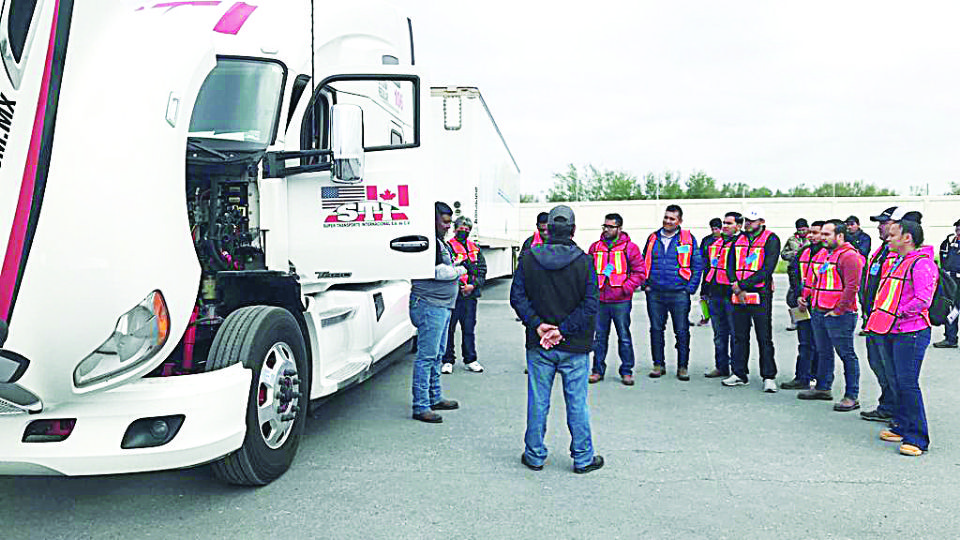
363	213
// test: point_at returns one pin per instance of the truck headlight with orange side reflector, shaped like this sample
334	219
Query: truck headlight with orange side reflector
139	334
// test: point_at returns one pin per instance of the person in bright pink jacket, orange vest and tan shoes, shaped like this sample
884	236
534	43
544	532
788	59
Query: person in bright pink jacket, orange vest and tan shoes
901	322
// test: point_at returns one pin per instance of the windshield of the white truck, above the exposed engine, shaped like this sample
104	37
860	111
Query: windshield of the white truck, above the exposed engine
239	101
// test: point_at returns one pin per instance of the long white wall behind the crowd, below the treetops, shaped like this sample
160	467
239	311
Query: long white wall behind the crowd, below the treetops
640	218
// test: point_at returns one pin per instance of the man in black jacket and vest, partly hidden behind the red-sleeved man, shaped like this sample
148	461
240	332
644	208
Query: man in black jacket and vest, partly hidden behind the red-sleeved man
798	270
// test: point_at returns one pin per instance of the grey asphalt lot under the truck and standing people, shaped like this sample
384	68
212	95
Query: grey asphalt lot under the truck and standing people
684	460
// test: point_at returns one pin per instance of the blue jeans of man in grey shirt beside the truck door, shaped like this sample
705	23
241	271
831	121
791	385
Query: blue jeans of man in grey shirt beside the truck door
431	321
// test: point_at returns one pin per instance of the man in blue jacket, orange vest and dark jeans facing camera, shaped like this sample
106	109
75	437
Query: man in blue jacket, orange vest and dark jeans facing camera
673	266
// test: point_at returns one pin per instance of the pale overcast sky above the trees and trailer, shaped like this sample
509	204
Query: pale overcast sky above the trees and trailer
767	92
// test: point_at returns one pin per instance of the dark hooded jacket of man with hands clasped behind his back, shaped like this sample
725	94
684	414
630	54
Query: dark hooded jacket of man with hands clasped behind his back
555	284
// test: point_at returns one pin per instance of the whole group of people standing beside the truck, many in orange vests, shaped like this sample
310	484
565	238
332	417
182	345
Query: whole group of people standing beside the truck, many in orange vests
568	299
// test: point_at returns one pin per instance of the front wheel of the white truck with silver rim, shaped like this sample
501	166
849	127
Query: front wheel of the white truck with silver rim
267	340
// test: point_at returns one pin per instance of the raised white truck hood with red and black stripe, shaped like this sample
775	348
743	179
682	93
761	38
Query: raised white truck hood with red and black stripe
92	180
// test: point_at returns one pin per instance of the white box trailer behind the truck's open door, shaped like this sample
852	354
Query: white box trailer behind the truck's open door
480	177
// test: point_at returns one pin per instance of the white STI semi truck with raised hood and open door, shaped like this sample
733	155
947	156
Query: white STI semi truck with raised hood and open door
209	216
